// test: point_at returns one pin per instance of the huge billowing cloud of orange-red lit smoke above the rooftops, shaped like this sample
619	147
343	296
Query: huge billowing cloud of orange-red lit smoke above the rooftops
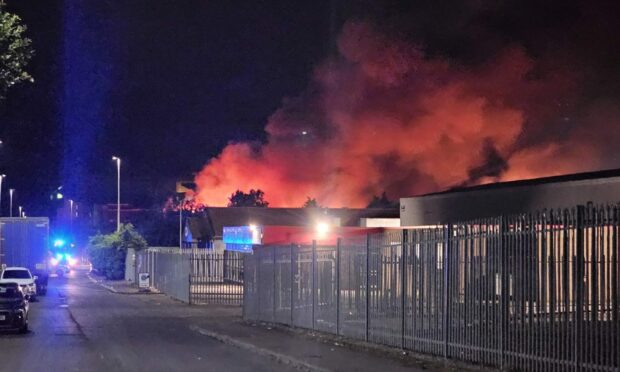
383	116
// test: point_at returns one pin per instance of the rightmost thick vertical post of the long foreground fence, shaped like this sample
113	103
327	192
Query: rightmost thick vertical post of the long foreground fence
580	234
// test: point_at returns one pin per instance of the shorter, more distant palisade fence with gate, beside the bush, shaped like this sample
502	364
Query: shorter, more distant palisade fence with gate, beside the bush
195	276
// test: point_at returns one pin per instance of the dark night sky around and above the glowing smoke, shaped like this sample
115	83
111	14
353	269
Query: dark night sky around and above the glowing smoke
166	85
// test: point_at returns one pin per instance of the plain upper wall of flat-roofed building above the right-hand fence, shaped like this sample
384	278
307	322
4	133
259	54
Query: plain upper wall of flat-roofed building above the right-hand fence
466	205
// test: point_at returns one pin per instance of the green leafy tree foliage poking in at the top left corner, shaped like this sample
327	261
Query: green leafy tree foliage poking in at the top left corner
15	52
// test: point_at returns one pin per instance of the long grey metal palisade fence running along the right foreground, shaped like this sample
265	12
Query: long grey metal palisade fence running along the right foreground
526	292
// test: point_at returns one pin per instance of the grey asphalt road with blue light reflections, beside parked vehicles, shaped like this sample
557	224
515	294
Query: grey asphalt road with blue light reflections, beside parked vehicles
80	326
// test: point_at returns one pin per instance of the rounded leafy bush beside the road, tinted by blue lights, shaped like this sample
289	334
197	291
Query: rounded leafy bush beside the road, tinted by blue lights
107	252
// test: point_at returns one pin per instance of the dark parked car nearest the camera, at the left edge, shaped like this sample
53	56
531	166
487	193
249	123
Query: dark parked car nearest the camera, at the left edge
13	308
